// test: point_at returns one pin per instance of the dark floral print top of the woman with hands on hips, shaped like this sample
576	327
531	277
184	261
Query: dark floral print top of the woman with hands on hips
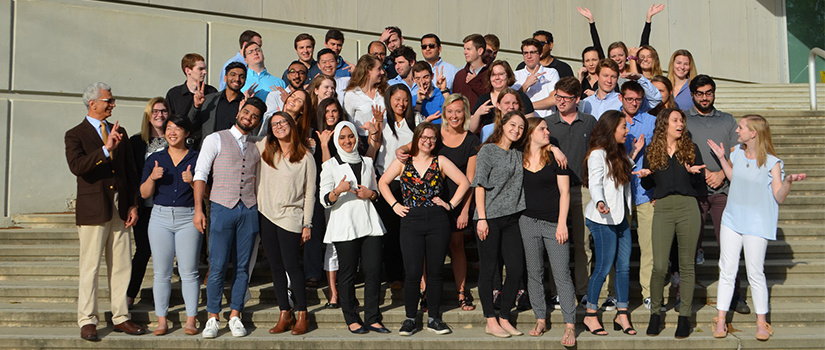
417	190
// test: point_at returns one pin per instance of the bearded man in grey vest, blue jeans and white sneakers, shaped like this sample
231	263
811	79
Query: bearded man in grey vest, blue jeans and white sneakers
230	156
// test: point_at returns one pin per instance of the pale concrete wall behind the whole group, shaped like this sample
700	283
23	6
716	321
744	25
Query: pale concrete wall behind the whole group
56	47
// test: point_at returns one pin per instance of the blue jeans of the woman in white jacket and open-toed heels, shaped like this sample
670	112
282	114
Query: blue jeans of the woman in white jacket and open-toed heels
612	245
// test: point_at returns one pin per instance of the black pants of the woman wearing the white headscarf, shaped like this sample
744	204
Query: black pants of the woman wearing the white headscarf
368	250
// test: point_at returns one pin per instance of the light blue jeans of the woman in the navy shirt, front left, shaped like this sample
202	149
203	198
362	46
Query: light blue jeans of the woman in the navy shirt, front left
172	233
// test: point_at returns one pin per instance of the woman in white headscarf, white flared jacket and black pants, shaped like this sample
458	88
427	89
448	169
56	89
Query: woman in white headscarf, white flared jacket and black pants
348	187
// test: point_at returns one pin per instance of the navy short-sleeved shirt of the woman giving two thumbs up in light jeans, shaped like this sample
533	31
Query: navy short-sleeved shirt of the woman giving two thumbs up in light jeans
170	190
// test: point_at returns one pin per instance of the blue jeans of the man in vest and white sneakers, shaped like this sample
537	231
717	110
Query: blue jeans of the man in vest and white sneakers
230	229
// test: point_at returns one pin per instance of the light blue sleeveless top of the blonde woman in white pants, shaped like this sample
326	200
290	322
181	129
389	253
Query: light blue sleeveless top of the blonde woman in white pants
752	208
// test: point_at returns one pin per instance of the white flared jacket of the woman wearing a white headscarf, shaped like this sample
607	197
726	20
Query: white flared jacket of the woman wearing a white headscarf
350	217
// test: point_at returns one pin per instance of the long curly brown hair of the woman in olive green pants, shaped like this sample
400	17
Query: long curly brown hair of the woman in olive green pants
657	149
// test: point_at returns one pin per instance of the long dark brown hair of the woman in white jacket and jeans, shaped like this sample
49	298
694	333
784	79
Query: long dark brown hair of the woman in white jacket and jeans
603	137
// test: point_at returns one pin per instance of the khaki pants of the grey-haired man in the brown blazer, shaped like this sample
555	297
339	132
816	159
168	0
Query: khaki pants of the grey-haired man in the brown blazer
112	239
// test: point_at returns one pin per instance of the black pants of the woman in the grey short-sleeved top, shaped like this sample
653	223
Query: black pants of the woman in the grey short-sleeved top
503	241
